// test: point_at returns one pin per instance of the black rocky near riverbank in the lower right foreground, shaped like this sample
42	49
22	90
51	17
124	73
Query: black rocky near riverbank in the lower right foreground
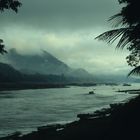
119	122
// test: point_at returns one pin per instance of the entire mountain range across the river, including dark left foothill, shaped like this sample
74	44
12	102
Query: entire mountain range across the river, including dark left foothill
46	66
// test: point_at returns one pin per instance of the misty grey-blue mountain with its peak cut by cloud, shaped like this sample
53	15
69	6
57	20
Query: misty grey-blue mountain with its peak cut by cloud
44	64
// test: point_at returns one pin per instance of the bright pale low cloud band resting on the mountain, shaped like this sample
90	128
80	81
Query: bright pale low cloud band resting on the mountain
76	49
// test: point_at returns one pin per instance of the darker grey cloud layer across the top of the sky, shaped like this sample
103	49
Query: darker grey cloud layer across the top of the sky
58	14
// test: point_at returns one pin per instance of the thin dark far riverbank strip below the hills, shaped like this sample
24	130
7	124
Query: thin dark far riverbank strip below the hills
43	85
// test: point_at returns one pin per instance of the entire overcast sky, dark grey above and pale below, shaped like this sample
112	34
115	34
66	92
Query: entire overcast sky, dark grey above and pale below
66	29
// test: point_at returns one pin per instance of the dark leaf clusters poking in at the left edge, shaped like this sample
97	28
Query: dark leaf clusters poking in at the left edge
7	5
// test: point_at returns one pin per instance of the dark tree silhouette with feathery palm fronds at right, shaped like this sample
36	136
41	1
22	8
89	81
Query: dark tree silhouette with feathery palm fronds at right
127	30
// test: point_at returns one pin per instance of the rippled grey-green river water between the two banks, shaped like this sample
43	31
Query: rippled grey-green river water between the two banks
25	110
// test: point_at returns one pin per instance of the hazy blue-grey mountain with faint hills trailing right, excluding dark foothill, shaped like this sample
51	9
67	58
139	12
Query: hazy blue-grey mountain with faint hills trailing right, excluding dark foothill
47	64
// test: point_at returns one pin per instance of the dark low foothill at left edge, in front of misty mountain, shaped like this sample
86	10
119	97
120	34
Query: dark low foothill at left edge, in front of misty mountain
8	74
